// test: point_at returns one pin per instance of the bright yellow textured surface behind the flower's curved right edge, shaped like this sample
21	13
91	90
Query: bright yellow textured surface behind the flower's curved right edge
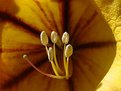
111	11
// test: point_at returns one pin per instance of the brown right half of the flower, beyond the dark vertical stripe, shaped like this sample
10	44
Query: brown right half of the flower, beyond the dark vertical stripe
94	43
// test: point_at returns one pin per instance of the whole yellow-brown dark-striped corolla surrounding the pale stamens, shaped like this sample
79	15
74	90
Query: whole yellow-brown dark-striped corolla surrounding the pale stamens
21	24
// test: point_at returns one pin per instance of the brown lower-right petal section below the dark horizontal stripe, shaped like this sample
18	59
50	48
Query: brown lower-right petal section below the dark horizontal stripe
90	64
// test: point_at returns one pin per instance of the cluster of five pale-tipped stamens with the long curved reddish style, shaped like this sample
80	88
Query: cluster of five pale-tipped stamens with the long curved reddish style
59	73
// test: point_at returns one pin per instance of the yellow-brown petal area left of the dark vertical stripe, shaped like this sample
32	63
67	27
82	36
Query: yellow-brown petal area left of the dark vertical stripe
19	35
